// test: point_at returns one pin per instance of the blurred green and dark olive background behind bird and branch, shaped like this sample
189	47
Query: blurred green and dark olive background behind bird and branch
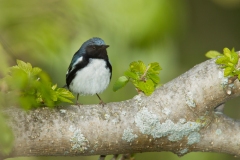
176	34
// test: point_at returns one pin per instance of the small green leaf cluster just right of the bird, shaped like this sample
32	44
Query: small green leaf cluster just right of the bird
144	78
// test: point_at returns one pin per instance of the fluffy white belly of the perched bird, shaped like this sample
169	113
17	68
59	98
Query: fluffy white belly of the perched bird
92	79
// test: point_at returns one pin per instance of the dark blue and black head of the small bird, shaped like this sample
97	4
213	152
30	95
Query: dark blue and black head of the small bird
94	48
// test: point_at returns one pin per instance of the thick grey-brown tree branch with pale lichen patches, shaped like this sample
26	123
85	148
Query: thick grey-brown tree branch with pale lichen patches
177	117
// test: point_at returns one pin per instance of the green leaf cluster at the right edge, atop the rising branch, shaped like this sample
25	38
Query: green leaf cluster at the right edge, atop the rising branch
228	60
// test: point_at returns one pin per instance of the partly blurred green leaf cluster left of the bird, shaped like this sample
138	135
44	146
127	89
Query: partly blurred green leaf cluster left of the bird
30	87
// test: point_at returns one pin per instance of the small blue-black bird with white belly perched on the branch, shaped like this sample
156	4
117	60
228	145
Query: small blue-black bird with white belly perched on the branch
90	71
